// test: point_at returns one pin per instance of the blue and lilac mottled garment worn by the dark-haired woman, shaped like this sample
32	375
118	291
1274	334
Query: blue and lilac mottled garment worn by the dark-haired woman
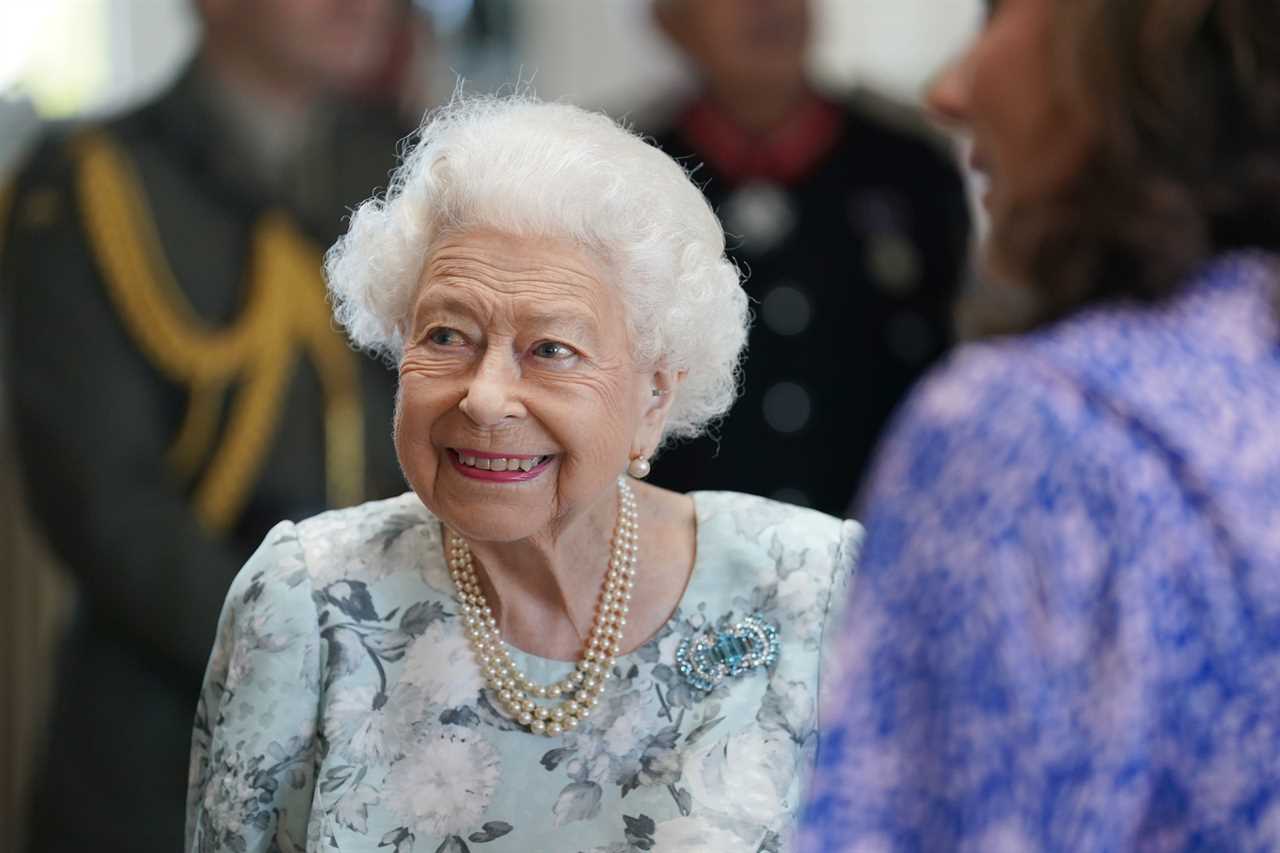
1067	627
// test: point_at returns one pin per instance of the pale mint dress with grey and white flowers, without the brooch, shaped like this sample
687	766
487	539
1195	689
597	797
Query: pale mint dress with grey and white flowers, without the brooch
344	708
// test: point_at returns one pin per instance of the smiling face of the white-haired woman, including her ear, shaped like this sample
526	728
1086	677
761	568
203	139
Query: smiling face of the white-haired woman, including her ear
520	403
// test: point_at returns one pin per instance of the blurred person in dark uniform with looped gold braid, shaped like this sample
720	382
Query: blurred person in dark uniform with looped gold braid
177	385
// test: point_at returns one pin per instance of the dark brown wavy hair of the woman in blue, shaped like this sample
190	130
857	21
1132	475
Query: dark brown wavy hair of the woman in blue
1186	166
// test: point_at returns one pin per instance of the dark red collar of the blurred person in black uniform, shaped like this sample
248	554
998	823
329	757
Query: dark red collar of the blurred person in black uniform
784	157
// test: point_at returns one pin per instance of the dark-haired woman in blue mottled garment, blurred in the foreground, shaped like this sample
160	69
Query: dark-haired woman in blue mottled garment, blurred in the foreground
1067	631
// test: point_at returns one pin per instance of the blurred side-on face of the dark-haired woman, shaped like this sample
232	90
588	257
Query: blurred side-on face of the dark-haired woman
1031	138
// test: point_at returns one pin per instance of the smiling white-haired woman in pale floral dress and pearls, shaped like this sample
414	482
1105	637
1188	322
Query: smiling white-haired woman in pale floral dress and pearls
532	650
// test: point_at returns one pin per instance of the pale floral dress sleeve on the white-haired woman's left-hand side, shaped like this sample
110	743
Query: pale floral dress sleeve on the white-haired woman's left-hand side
253	761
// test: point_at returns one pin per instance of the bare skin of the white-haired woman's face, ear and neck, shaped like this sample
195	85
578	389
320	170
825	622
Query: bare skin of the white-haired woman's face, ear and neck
520	348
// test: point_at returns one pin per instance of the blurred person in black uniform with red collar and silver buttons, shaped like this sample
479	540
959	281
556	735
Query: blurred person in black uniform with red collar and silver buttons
852	227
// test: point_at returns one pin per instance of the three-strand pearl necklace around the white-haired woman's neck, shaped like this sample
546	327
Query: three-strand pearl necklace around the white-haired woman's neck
518	695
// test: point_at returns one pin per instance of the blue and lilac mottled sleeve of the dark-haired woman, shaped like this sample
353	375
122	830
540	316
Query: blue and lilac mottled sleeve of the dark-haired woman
982	641
